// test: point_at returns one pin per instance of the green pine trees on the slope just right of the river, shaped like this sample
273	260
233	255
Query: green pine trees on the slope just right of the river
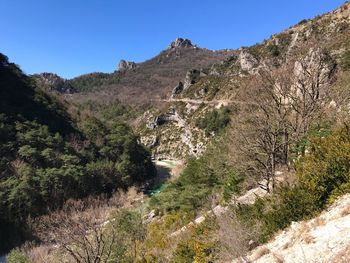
211	173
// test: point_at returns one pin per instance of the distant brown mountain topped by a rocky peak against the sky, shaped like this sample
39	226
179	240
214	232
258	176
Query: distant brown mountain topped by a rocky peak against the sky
140	83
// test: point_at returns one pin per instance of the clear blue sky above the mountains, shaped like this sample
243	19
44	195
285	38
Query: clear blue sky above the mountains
73	37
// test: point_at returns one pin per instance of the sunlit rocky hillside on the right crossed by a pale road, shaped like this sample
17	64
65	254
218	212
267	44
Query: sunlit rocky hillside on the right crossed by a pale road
312	54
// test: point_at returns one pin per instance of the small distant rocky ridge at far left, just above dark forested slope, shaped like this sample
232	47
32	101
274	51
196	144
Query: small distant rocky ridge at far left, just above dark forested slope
53	82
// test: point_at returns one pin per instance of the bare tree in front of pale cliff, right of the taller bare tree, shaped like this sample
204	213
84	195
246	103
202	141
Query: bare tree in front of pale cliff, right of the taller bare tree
309	90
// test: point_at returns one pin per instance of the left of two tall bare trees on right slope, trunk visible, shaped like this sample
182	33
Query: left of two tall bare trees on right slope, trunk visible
263	127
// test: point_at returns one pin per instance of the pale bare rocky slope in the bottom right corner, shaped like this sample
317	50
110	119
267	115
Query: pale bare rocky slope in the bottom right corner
322	239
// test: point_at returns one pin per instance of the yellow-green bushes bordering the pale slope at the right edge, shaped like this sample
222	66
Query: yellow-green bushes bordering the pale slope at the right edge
323	175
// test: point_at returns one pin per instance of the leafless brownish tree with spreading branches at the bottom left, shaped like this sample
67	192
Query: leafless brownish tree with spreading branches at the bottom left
80	229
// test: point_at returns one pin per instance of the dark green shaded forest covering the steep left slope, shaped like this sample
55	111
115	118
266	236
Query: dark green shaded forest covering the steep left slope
45	160
